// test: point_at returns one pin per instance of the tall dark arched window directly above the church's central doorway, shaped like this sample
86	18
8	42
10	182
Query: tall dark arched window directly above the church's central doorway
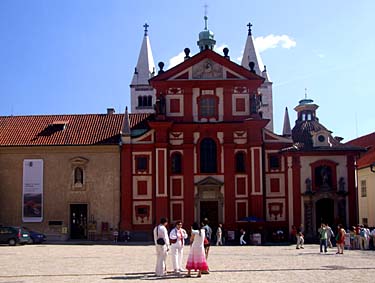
208	158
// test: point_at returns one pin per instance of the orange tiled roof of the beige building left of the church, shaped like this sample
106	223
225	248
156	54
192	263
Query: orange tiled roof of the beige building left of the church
81	129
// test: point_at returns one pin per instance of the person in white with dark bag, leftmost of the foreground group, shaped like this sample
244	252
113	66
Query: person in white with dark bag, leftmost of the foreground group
161	240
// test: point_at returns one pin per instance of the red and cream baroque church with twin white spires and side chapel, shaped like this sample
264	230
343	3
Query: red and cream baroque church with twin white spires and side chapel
209	150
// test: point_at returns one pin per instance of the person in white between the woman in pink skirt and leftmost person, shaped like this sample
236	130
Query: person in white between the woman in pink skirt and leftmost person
177	238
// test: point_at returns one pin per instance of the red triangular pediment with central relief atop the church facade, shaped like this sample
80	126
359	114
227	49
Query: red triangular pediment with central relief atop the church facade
207	65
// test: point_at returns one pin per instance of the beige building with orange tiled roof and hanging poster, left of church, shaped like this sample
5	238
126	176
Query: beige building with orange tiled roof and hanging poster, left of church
78	195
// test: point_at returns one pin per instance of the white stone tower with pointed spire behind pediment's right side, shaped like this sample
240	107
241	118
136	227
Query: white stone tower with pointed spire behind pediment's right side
251	57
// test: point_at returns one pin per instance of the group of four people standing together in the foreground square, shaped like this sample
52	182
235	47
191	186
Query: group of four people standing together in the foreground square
174	242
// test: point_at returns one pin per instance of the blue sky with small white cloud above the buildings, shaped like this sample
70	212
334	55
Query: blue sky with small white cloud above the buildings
78	56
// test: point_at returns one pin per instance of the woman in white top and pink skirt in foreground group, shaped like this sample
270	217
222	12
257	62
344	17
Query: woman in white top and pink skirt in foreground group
197	259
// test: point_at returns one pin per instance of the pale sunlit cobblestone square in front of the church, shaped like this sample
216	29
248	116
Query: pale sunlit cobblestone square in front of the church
135	263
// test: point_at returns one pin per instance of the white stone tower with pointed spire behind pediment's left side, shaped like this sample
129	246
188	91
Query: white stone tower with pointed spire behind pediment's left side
142	94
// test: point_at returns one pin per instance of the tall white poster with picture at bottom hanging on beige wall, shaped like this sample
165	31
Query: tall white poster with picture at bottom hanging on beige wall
32	196
